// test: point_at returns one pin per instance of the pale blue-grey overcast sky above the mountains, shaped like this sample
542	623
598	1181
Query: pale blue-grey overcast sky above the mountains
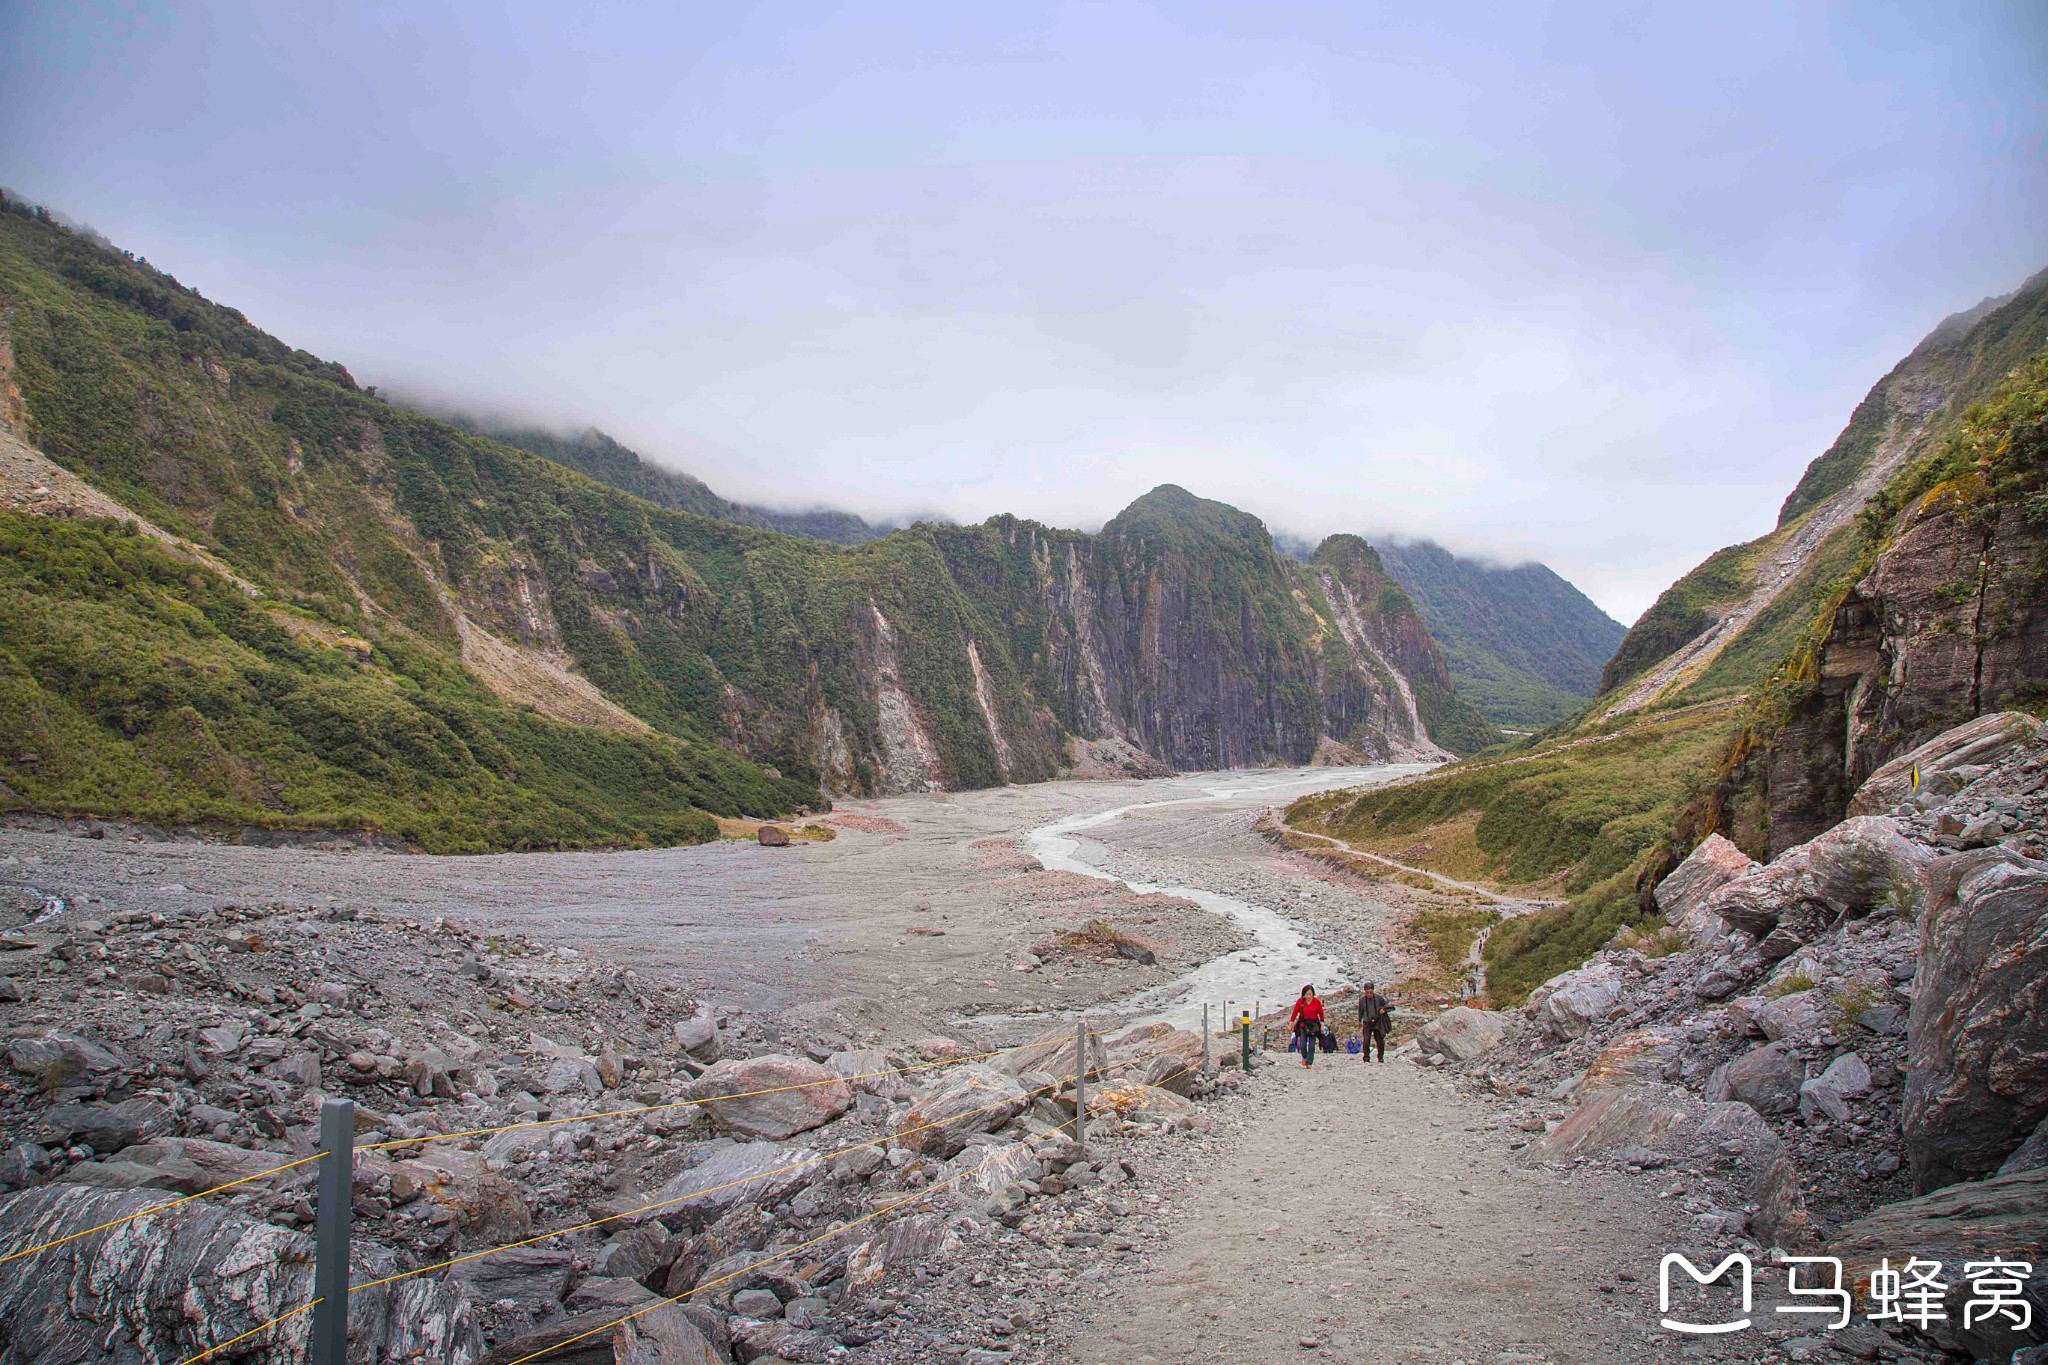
1586	283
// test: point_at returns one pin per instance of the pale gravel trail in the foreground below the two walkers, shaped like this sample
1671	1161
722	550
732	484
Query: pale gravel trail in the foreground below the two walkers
1367	1213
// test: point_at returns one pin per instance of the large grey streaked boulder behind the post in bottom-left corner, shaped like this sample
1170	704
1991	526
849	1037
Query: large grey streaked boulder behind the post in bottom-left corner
194	1278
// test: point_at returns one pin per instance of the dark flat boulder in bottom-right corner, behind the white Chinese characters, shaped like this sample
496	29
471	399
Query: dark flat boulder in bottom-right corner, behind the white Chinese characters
1981	1221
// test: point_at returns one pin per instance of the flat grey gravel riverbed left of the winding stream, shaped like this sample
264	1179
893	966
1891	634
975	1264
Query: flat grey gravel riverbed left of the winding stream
738	924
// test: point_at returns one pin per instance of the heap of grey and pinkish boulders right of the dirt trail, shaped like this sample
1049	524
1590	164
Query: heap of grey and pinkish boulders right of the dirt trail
1836	1053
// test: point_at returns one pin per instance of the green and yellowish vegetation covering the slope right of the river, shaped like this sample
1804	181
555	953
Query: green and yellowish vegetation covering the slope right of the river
1609	805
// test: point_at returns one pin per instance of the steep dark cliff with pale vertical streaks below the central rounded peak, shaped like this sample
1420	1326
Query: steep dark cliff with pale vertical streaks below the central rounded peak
1183	633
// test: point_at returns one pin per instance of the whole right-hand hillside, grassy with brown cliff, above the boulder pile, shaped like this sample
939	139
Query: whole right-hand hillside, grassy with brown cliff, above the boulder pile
1900	597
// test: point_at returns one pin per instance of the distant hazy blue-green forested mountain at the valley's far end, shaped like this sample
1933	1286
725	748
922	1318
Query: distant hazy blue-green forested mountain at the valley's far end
1525	646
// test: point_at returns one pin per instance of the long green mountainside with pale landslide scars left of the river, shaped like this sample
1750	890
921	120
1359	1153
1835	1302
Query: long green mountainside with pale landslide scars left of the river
245	592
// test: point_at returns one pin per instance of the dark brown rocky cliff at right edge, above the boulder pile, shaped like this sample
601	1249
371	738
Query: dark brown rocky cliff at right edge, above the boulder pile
1947	621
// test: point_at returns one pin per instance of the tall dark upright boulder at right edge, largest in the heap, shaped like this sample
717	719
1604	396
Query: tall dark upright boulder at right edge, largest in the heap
1977	1039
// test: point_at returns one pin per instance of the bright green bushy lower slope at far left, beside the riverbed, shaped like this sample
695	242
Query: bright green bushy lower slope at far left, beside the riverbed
138	682
